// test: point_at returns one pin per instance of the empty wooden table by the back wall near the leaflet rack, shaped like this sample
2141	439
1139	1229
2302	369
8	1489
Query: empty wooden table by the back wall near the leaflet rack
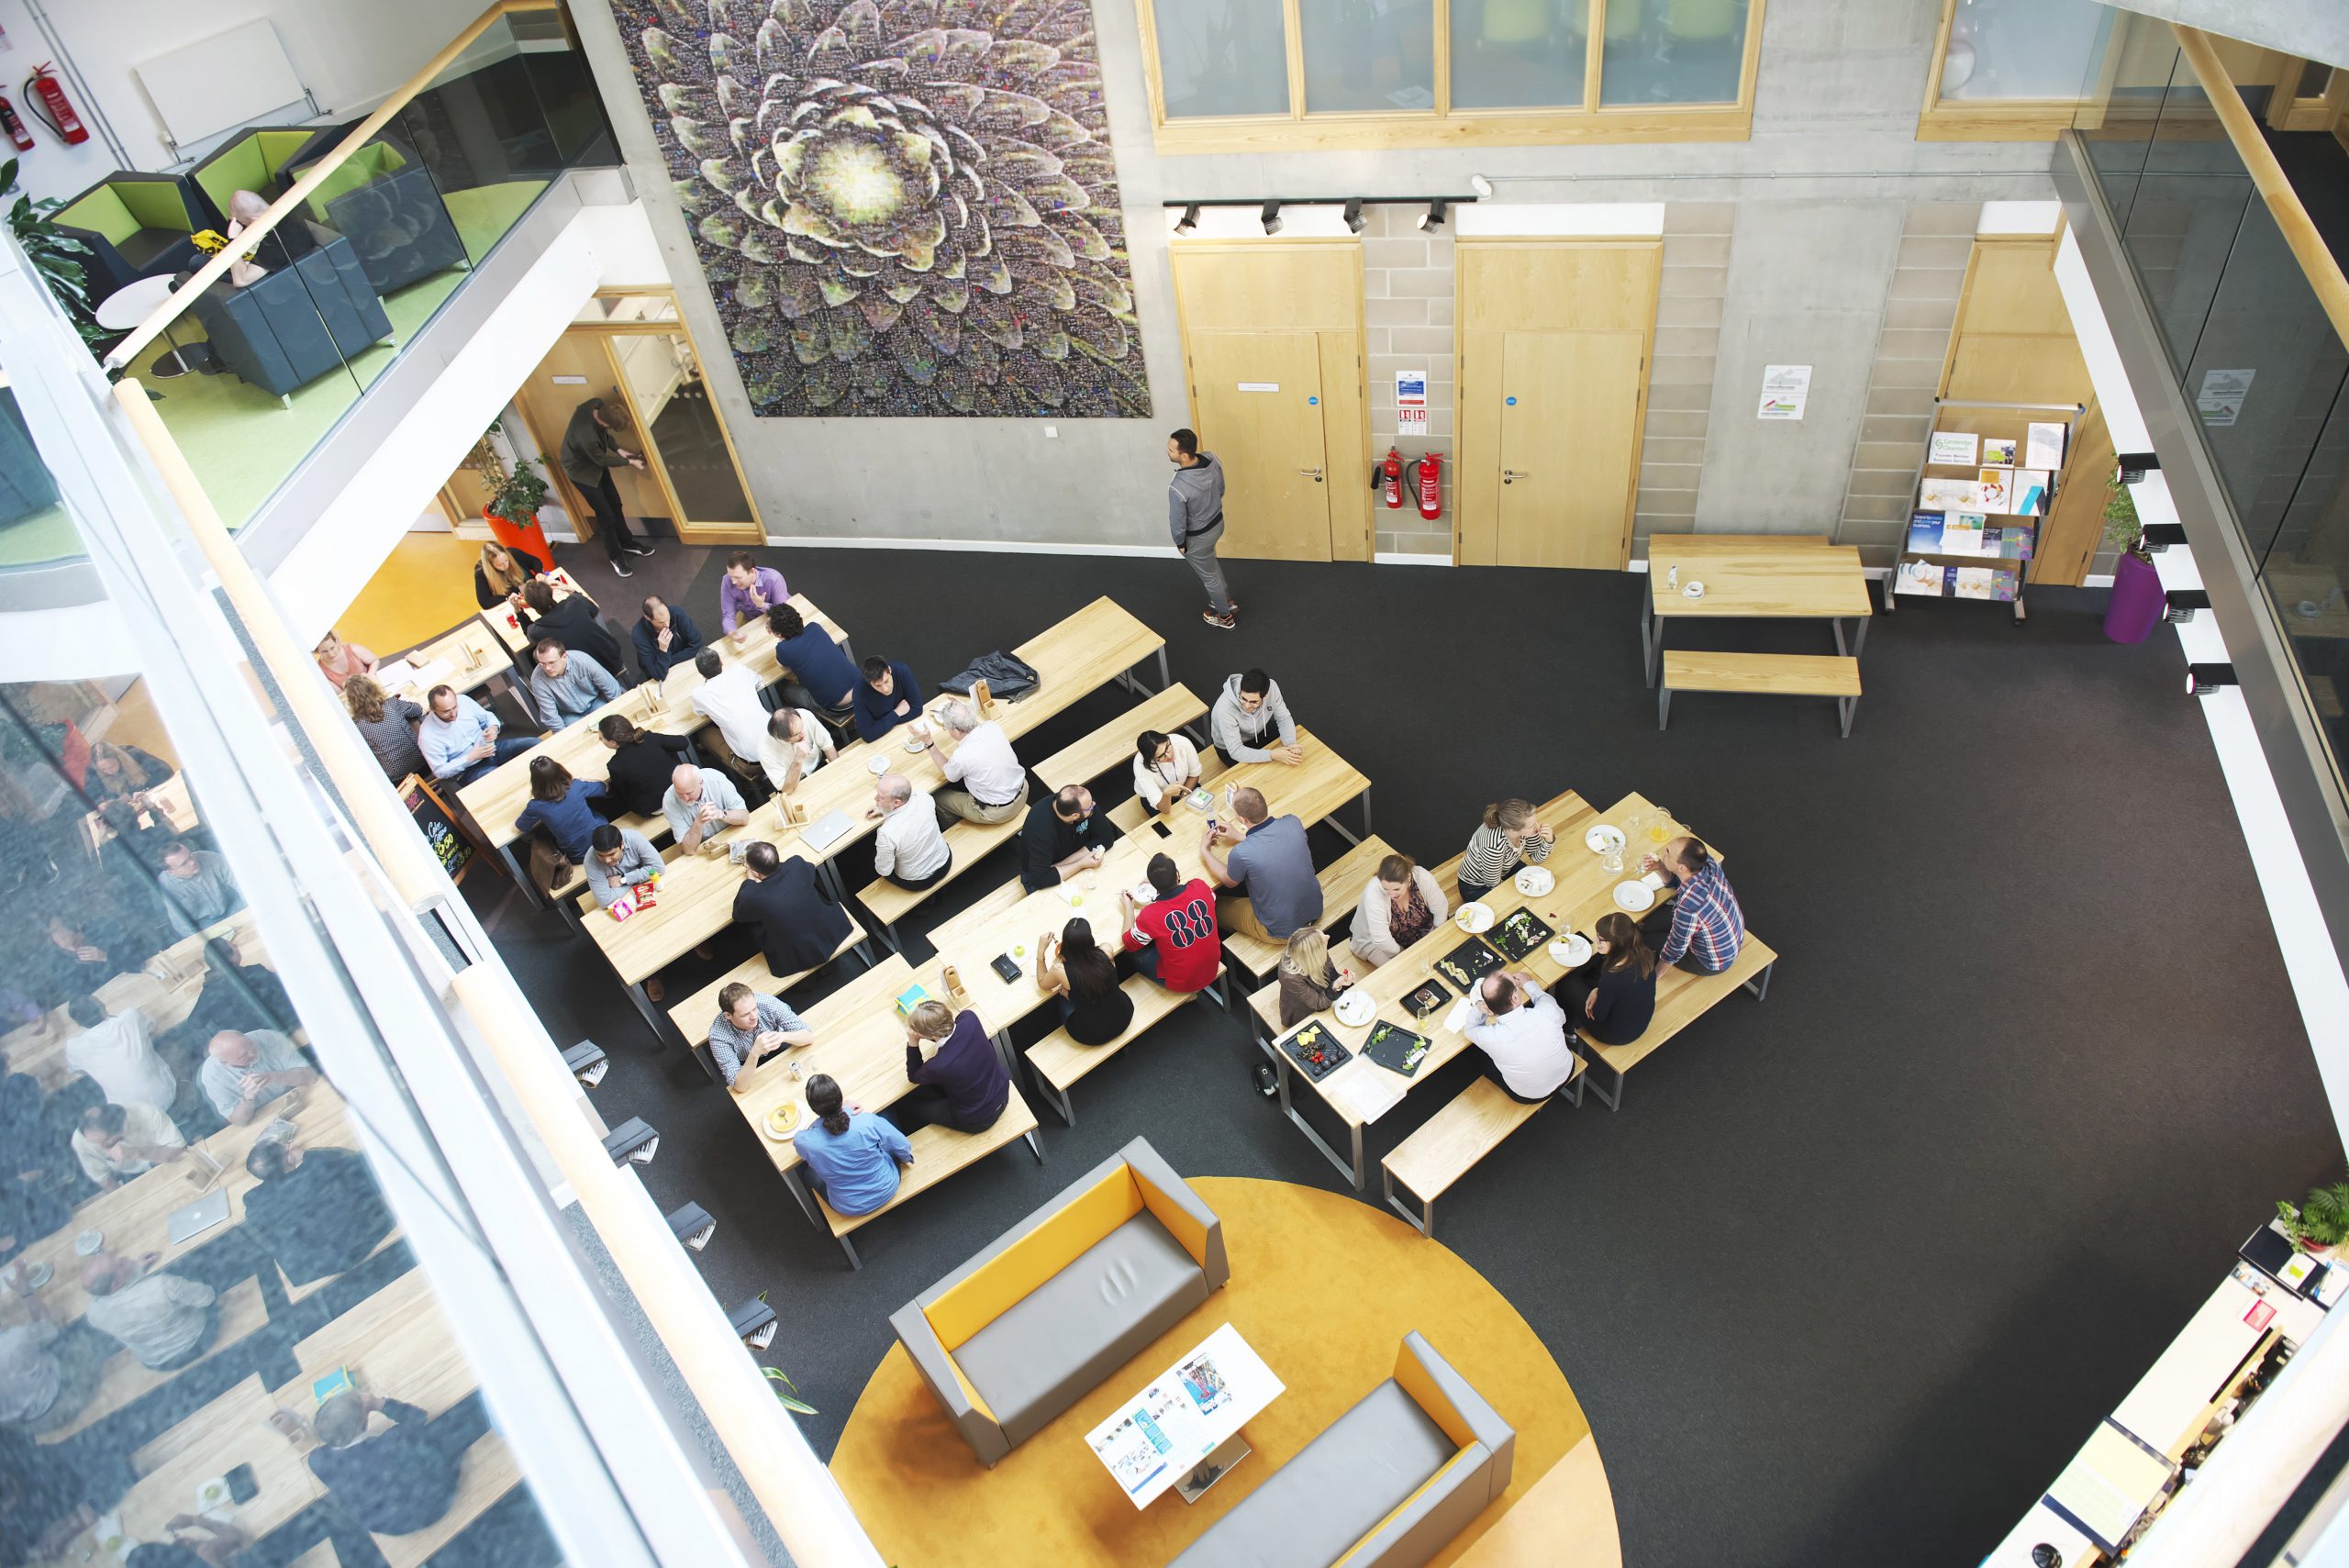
1751	576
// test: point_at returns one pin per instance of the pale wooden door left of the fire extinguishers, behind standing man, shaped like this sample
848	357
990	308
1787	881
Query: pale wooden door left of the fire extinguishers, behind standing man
1274	365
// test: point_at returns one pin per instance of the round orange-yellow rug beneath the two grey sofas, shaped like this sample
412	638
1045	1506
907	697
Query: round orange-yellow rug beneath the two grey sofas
1324	1287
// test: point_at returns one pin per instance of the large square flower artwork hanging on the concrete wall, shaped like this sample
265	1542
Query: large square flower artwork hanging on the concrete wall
906	208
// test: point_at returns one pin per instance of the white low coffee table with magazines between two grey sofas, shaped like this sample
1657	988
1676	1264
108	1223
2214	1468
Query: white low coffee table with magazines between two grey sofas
1185	1428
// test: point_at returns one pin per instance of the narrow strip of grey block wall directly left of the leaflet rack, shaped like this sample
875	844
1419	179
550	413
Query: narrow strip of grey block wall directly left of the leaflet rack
1920	309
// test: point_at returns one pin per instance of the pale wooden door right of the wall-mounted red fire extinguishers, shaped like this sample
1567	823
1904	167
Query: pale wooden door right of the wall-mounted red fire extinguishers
1552	388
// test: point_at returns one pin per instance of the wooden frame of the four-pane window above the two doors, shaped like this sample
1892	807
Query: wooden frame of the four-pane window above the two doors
1443	126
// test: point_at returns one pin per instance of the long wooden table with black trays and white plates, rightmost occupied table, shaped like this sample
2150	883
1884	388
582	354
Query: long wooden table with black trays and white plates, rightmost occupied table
1361	1090
